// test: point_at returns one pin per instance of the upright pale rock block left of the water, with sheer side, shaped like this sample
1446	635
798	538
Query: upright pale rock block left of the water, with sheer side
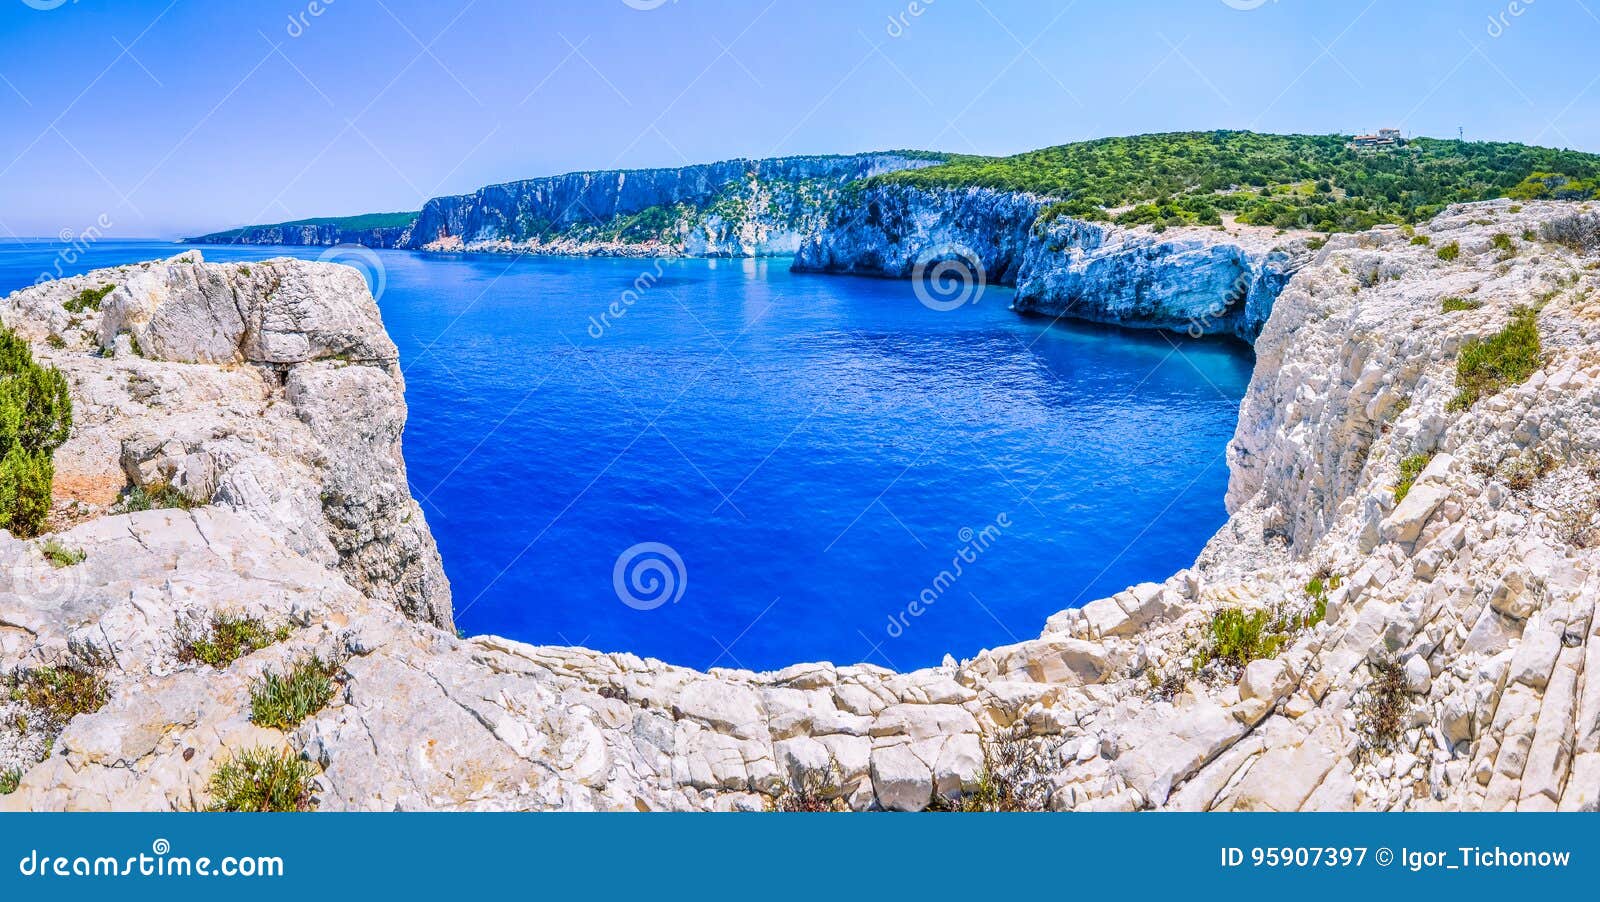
270	389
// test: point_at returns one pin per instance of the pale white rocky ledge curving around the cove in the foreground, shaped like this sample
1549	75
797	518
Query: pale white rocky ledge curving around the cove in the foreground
1399	613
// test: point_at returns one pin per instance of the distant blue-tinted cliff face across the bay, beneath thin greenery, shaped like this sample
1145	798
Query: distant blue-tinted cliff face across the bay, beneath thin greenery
730	209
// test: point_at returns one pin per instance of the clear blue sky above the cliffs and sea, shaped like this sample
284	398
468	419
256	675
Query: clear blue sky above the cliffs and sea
175	118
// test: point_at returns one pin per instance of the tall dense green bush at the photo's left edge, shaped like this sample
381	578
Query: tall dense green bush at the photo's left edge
36	418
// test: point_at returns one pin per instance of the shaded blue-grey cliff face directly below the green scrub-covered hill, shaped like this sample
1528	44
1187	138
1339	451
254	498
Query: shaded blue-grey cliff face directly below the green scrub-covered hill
1196	281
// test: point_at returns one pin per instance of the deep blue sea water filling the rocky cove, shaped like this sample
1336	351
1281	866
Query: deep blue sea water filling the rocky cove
810	468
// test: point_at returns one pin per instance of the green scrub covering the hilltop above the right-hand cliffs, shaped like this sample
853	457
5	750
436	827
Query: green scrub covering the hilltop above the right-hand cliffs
1287	182
